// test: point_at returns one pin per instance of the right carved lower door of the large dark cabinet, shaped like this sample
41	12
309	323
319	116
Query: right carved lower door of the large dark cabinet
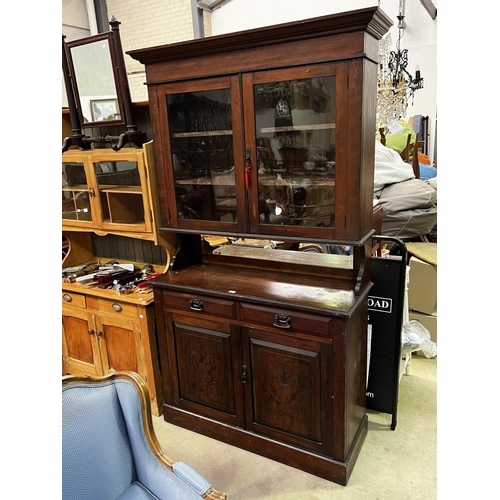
288	389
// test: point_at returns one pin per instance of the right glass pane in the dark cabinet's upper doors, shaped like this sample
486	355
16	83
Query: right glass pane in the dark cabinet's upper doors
295	130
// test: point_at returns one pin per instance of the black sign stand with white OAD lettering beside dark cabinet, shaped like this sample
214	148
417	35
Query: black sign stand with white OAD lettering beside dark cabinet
385	321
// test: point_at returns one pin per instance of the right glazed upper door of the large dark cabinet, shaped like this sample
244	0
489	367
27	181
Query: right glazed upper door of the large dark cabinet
293	143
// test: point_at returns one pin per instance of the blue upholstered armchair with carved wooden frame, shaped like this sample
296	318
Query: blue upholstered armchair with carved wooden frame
110	450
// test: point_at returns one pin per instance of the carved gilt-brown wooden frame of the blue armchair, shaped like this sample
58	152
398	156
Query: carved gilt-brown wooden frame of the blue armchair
156	448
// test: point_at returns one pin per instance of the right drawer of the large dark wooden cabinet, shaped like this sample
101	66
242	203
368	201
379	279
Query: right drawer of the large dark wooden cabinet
286	320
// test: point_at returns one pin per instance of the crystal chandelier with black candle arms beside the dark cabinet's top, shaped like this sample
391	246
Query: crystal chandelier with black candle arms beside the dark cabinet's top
396	86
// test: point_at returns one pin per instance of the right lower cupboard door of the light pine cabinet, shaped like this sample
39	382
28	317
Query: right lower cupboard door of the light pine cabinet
120	344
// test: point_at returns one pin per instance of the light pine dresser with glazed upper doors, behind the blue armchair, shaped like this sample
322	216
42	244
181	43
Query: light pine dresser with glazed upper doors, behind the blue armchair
108	192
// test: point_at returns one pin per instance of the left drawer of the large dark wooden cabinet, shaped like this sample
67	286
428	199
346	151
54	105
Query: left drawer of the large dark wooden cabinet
202	304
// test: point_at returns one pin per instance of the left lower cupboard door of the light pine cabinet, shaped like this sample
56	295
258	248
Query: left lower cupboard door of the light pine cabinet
81	355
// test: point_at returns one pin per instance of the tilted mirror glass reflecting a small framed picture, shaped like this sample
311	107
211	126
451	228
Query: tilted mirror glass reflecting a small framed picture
95	81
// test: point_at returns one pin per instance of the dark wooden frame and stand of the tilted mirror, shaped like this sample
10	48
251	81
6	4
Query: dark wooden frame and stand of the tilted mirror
122	93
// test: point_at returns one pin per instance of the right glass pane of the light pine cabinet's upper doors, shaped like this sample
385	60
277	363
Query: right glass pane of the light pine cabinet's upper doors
120	192
